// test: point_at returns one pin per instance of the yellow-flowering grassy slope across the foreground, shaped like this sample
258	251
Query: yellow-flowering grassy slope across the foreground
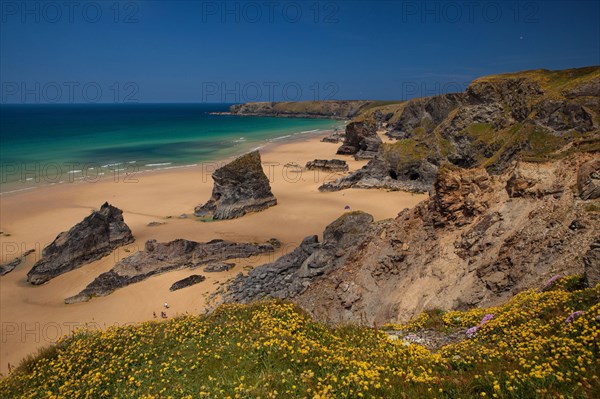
273	349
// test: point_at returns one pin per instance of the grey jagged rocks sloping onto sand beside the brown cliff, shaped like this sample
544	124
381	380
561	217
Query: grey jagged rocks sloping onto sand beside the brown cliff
289	275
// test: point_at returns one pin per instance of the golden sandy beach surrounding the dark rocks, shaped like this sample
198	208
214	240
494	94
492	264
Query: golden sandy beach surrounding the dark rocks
35	316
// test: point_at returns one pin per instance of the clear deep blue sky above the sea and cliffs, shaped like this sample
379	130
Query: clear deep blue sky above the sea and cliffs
235	51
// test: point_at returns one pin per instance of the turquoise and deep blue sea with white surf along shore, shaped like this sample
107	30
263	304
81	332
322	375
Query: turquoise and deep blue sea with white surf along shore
49	144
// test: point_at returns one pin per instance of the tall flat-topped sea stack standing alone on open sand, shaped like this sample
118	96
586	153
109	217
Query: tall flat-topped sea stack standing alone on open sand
240	187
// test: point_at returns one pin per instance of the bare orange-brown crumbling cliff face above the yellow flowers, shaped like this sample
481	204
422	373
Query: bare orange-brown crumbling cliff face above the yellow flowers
477	241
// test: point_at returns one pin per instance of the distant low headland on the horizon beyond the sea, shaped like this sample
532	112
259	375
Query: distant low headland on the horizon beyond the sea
303	109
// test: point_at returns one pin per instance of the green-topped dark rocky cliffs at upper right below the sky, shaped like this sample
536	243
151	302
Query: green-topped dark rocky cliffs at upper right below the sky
529	115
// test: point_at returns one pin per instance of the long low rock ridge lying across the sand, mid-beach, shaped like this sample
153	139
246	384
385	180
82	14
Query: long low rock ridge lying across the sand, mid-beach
163	257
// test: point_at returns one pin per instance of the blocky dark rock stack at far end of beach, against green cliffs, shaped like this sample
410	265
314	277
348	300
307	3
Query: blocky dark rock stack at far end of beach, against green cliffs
361	140
